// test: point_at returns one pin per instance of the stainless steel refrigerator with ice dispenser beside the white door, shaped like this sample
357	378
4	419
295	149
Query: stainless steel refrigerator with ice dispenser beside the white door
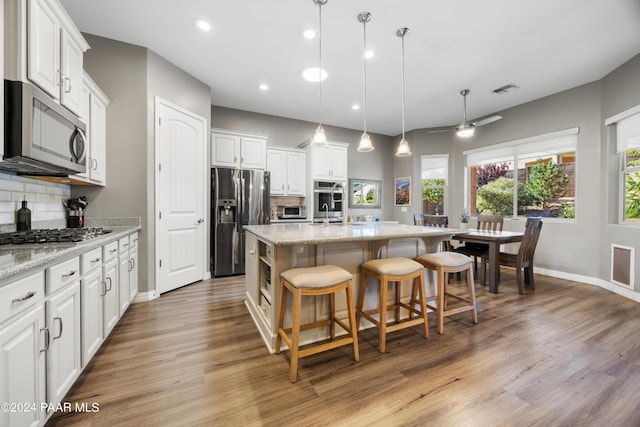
238	197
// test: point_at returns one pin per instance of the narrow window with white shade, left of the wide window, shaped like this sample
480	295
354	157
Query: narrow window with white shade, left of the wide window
434	183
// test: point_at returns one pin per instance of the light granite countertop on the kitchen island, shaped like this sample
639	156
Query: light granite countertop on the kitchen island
308	234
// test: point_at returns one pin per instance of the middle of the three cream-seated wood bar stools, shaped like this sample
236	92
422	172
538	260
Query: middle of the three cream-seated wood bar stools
393	270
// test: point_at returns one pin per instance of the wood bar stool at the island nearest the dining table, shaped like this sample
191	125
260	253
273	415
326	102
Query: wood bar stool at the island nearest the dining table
444	263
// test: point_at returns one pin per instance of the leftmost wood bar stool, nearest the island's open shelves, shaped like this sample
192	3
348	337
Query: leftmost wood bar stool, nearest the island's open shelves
313	281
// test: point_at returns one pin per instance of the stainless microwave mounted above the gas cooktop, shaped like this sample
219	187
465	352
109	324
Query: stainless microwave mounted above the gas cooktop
41	136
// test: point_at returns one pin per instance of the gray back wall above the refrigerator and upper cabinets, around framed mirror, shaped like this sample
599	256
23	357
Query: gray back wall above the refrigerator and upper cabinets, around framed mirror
291	133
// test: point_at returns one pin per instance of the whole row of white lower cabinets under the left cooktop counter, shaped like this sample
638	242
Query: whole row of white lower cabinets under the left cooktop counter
54	321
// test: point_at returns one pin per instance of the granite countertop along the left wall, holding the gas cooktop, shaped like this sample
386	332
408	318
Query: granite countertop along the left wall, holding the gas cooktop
20	260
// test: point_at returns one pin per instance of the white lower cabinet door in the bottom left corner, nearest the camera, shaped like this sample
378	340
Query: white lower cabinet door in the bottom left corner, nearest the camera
23	367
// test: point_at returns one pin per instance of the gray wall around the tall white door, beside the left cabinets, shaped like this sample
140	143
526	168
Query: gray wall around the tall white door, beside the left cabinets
132	77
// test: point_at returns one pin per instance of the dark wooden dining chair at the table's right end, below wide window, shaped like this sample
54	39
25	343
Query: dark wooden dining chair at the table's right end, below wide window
523	260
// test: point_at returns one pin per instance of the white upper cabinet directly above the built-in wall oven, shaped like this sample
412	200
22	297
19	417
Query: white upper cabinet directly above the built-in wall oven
329	162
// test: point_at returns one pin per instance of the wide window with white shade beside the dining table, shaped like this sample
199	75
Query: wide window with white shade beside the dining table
530	177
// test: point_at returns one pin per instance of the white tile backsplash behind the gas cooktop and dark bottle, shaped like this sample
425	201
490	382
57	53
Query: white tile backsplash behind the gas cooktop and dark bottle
43	198
